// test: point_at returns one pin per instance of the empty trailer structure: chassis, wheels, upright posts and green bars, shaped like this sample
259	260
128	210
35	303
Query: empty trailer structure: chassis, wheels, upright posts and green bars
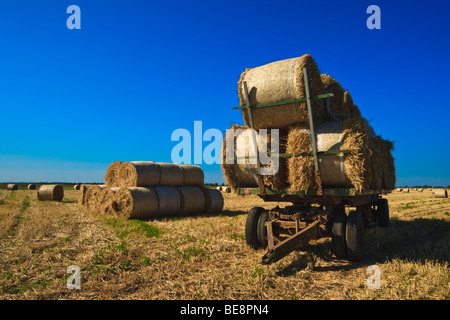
314	213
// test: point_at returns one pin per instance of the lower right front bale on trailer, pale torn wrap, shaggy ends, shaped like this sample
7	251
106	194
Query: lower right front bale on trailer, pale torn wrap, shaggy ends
337	171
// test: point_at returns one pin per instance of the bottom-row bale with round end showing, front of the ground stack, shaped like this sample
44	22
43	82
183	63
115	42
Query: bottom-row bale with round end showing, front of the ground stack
136	203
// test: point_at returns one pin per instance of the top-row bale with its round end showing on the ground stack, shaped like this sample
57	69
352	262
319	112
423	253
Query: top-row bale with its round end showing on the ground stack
139	174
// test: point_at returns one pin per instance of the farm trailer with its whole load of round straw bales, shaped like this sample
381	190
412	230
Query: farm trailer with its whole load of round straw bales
331	169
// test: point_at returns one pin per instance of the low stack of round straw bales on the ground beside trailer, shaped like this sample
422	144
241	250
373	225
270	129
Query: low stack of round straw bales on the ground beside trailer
149	190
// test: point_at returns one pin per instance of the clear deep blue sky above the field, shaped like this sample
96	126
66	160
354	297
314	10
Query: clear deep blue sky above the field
73	101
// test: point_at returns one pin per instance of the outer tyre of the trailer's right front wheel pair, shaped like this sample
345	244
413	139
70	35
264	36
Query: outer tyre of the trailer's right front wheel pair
354	236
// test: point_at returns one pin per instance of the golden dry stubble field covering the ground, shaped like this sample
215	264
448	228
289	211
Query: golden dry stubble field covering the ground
207	258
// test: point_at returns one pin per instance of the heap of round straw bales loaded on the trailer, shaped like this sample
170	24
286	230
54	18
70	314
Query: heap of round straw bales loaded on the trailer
338	125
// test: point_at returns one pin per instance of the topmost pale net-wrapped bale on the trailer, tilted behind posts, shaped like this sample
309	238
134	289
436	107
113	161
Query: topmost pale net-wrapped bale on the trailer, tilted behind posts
281	81
